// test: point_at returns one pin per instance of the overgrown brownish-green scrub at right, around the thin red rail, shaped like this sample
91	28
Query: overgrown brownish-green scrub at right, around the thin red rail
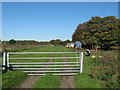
109	77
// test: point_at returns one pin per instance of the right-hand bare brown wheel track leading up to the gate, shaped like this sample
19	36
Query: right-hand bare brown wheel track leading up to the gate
67	81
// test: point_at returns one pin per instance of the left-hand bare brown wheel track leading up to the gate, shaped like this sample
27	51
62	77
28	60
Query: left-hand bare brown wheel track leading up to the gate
29	82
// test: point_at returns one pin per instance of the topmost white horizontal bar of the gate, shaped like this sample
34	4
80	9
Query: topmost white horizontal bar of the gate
39	52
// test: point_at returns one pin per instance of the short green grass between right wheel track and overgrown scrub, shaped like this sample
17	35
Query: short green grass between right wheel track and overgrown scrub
85	80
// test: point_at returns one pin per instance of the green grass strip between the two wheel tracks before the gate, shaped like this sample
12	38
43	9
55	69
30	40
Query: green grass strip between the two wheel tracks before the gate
47	81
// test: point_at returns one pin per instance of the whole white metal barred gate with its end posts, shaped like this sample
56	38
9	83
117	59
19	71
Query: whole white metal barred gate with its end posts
31	67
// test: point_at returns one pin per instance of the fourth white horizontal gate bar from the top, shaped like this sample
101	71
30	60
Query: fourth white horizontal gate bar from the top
41	65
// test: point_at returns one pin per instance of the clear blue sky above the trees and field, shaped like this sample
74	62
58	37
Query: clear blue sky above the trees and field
44	21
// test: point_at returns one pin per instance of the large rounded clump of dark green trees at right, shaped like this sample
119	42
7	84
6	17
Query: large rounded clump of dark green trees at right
98	32
